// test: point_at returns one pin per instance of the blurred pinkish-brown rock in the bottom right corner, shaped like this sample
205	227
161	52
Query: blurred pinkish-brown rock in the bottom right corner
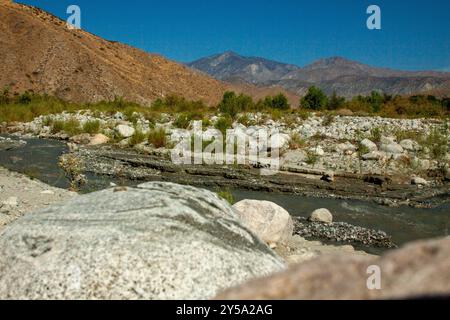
419	270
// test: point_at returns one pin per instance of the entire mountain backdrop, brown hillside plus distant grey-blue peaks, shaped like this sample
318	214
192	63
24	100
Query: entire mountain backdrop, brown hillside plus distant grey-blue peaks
39	53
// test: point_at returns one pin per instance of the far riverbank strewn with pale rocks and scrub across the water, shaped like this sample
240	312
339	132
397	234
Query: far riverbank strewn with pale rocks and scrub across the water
390	161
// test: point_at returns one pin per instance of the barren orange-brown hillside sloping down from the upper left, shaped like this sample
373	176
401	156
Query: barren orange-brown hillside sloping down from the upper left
39	53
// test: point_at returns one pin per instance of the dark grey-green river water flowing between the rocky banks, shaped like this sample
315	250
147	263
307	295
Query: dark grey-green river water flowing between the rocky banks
39	159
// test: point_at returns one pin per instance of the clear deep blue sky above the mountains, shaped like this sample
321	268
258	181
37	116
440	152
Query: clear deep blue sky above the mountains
415	34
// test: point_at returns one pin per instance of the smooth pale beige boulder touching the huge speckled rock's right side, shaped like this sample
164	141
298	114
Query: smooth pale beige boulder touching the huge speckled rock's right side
266	219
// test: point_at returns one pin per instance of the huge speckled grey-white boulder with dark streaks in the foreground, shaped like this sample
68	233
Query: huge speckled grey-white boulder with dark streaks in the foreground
156	241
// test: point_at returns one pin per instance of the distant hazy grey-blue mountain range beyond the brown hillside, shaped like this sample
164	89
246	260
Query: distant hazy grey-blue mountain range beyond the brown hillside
347	78
